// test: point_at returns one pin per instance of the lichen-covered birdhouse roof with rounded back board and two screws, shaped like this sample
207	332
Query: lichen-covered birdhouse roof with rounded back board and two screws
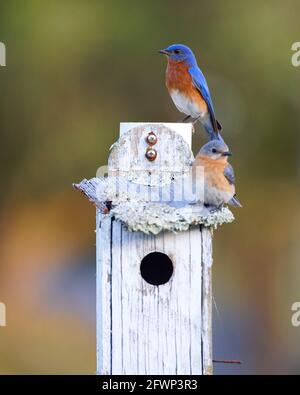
146	169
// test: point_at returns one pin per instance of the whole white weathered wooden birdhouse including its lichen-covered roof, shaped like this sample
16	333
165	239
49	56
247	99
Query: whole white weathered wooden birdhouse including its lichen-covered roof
154	258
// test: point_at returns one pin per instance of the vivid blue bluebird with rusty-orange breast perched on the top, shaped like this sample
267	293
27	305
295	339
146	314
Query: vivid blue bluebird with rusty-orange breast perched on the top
188	88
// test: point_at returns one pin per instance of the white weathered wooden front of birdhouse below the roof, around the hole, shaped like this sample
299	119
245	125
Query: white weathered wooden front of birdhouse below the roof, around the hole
146	329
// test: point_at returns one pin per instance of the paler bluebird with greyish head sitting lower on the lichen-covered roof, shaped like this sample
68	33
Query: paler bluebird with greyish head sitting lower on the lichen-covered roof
219	188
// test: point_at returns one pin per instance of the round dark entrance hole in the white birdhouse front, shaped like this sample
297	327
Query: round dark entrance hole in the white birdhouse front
156	268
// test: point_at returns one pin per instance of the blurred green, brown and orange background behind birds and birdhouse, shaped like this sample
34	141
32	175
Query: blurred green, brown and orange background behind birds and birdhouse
75	69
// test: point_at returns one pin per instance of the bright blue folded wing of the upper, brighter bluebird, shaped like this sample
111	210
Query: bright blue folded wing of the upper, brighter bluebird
200	83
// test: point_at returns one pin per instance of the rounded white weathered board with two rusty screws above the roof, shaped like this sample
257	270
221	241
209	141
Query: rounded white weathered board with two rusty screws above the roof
174	156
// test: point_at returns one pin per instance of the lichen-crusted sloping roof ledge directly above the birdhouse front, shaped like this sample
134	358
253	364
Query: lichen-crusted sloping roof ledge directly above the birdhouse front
133	207
